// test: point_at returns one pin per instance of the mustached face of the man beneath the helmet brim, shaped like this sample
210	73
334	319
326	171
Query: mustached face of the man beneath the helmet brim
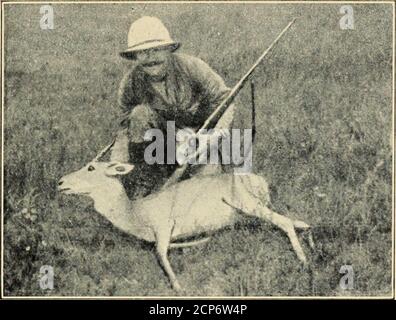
154	61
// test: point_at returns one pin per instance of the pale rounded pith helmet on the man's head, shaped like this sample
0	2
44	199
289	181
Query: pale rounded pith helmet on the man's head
146	33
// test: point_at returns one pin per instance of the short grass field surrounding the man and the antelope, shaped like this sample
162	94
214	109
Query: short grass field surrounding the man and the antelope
324	129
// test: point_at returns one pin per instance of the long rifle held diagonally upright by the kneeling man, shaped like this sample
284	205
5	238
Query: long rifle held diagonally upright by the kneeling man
220	110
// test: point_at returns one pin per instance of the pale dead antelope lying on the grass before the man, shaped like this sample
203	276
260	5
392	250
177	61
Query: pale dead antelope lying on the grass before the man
191	207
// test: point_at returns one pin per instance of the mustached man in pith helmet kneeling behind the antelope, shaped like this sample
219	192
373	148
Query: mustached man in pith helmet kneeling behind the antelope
161	86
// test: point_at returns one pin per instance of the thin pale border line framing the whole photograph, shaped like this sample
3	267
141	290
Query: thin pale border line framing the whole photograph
198	298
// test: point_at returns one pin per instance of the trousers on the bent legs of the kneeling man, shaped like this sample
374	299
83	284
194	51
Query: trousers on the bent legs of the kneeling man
130	145
